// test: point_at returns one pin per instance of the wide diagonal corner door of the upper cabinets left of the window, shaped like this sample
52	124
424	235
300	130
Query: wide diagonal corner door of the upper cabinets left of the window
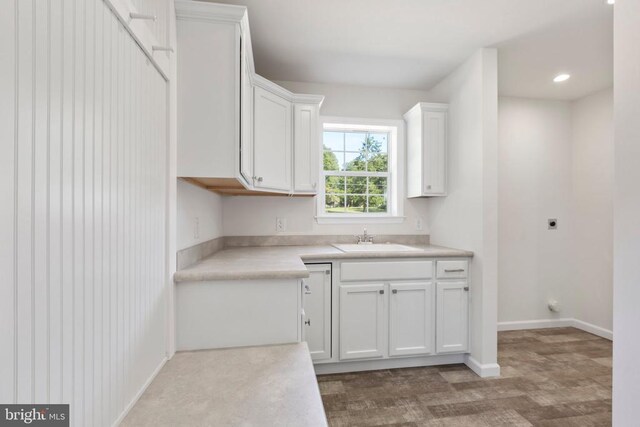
272	141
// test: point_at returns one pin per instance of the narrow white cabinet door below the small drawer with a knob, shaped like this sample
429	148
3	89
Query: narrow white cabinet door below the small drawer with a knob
452	317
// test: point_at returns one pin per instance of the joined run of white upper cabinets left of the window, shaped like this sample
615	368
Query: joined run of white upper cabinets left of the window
239	133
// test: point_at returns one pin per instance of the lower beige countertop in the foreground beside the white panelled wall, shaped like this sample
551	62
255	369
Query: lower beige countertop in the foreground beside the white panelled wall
250	386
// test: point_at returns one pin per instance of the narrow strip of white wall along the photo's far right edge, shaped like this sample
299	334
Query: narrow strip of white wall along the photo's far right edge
626	248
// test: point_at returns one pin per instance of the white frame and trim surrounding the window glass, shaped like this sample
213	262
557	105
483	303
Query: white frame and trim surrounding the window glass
395	129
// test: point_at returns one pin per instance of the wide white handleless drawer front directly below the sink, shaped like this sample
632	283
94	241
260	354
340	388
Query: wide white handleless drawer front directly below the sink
377	271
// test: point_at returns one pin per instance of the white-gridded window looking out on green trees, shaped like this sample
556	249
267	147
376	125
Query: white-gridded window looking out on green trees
358	171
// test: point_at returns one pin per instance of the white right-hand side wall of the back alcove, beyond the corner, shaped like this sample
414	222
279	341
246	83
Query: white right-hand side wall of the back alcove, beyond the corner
592	208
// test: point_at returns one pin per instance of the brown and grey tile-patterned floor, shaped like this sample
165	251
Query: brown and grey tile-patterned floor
550	377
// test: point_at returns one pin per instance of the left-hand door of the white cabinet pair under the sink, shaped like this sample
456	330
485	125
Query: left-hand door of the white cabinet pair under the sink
362	321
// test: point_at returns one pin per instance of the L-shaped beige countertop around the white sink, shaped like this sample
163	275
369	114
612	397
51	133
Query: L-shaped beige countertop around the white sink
287	262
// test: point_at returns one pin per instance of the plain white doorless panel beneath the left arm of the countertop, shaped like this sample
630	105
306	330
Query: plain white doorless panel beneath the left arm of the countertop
237	313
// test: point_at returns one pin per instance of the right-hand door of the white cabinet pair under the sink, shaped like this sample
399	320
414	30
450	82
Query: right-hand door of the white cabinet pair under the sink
411	319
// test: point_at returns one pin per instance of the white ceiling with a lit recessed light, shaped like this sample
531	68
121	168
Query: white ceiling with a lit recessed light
413	44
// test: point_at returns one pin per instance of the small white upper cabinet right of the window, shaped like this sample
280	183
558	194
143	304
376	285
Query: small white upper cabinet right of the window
427	150
